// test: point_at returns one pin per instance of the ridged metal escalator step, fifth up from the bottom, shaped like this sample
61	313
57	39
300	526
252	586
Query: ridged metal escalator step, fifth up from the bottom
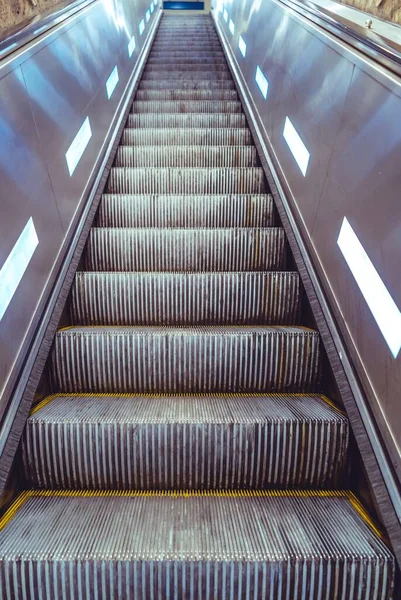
185	250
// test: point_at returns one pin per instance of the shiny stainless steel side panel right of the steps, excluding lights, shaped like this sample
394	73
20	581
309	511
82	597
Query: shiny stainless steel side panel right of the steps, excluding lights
346	111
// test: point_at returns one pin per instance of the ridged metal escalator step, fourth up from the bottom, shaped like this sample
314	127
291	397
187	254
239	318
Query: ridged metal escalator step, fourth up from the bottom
237	298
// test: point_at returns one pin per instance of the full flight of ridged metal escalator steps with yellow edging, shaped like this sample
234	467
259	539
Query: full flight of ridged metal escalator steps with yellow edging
187	449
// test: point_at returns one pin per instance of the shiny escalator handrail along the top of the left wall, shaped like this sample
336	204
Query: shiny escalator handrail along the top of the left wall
13	39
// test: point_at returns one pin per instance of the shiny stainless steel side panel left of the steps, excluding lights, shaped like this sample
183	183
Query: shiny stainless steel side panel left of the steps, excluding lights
46	93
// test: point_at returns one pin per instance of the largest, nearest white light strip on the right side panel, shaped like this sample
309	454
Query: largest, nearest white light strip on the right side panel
383	308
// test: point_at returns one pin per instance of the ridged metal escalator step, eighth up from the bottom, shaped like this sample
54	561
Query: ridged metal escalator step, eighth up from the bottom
186	156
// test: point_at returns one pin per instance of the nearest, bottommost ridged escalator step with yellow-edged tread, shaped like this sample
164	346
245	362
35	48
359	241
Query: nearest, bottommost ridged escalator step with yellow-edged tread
279	545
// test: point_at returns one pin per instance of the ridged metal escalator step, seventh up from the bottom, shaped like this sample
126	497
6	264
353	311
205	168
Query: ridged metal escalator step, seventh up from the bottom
125	180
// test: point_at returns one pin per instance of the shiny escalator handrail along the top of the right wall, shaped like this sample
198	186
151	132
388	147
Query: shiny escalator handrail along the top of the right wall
383	47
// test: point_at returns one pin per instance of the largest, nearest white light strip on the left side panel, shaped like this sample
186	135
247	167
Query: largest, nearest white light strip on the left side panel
16	264
